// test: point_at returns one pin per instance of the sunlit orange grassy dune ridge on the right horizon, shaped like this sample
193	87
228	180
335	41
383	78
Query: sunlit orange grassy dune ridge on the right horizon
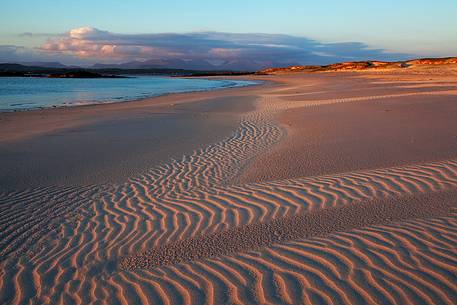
363	66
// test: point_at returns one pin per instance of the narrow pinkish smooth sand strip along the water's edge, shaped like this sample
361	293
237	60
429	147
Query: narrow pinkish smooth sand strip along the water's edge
18	125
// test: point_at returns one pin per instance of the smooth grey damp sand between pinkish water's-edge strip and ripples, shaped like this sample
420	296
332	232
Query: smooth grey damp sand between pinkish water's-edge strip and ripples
119	147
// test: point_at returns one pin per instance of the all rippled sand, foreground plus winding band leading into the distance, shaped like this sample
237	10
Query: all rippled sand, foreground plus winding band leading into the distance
189	232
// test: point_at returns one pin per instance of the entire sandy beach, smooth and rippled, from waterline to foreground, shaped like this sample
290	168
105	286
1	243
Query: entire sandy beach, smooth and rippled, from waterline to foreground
312	188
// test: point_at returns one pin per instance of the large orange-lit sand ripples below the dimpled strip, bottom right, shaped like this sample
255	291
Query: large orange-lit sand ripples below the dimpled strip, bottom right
411	262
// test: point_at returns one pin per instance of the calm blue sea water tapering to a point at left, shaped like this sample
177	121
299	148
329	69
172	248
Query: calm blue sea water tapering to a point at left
19	93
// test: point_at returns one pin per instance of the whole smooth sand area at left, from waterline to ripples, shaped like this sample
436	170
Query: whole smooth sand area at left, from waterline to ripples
110	143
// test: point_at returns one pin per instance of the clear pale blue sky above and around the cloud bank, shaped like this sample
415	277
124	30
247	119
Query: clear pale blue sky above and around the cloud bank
423	28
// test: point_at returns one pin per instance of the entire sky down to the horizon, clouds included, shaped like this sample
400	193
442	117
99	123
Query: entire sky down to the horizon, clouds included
256	33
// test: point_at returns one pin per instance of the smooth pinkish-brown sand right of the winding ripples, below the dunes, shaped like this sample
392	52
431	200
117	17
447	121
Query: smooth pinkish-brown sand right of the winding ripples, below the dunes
360	125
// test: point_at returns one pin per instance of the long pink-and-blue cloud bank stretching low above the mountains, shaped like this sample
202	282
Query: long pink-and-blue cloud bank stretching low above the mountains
241	51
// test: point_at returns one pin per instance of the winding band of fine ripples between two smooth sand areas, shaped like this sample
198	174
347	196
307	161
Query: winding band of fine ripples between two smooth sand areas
217	164
